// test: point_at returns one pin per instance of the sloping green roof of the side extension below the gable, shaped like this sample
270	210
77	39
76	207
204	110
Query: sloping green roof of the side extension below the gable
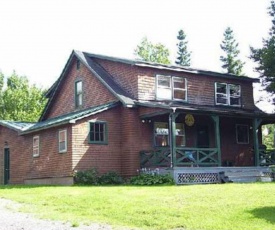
69	118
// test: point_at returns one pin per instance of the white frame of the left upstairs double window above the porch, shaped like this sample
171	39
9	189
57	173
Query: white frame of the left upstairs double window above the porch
168	91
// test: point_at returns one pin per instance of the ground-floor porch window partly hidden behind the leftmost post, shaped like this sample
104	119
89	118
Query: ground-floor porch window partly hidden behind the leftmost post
162	134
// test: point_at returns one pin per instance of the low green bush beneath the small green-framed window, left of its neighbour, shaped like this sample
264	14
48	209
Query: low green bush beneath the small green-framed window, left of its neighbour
87	177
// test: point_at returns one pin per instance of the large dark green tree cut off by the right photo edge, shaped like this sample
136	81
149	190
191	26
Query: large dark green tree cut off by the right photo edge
265	57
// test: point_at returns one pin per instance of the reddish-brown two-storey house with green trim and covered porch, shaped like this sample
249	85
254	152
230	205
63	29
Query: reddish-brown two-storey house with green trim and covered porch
123	115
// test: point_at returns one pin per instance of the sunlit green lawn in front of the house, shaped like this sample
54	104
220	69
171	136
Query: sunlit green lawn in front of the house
220	206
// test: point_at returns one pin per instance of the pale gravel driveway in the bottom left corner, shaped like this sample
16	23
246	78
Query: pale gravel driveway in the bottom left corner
11	219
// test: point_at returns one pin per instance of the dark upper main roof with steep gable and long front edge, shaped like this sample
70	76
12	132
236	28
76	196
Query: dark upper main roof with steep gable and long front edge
89	60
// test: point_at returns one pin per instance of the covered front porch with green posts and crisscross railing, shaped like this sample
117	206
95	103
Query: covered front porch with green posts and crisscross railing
204	138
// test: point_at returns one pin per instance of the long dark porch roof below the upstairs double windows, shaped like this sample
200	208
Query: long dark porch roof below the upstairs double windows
200	109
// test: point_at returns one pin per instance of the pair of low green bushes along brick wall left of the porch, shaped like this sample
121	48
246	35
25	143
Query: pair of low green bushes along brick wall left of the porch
92	177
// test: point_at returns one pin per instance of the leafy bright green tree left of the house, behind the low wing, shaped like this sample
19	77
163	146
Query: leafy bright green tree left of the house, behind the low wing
20	101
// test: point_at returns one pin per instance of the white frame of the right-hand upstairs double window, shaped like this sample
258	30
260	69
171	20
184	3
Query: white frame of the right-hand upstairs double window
227	94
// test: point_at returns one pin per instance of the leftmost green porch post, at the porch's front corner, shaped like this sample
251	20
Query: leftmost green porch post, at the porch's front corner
172	124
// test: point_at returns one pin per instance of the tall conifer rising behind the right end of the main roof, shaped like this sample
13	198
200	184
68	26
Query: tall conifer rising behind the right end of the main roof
230	60
